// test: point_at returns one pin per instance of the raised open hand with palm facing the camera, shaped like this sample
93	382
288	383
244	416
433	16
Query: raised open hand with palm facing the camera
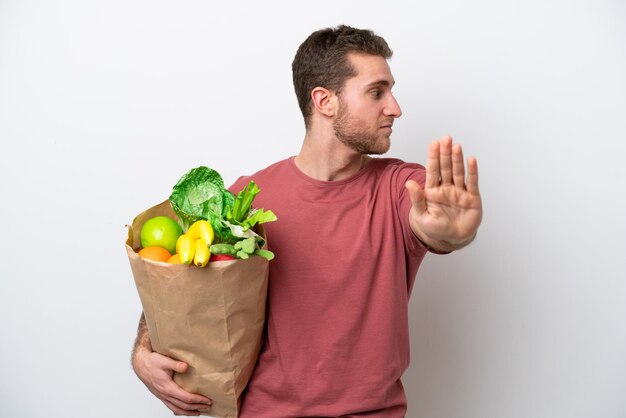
447	213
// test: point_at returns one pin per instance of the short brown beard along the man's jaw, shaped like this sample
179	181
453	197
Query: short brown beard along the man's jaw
354	133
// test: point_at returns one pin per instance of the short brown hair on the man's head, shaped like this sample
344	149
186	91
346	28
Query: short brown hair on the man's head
321	60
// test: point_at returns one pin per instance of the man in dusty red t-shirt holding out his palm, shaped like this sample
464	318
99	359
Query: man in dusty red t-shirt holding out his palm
352	232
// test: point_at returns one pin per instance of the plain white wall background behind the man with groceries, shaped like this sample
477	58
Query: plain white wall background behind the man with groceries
105	104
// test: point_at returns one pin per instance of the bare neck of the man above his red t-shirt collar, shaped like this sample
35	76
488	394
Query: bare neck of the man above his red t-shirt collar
328	160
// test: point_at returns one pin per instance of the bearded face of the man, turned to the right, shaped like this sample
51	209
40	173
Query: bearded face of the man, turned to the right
367	107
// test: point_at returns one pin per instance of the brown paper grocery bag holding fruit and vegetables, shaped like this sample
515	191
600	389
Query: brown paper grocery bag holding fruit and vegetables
210	317
